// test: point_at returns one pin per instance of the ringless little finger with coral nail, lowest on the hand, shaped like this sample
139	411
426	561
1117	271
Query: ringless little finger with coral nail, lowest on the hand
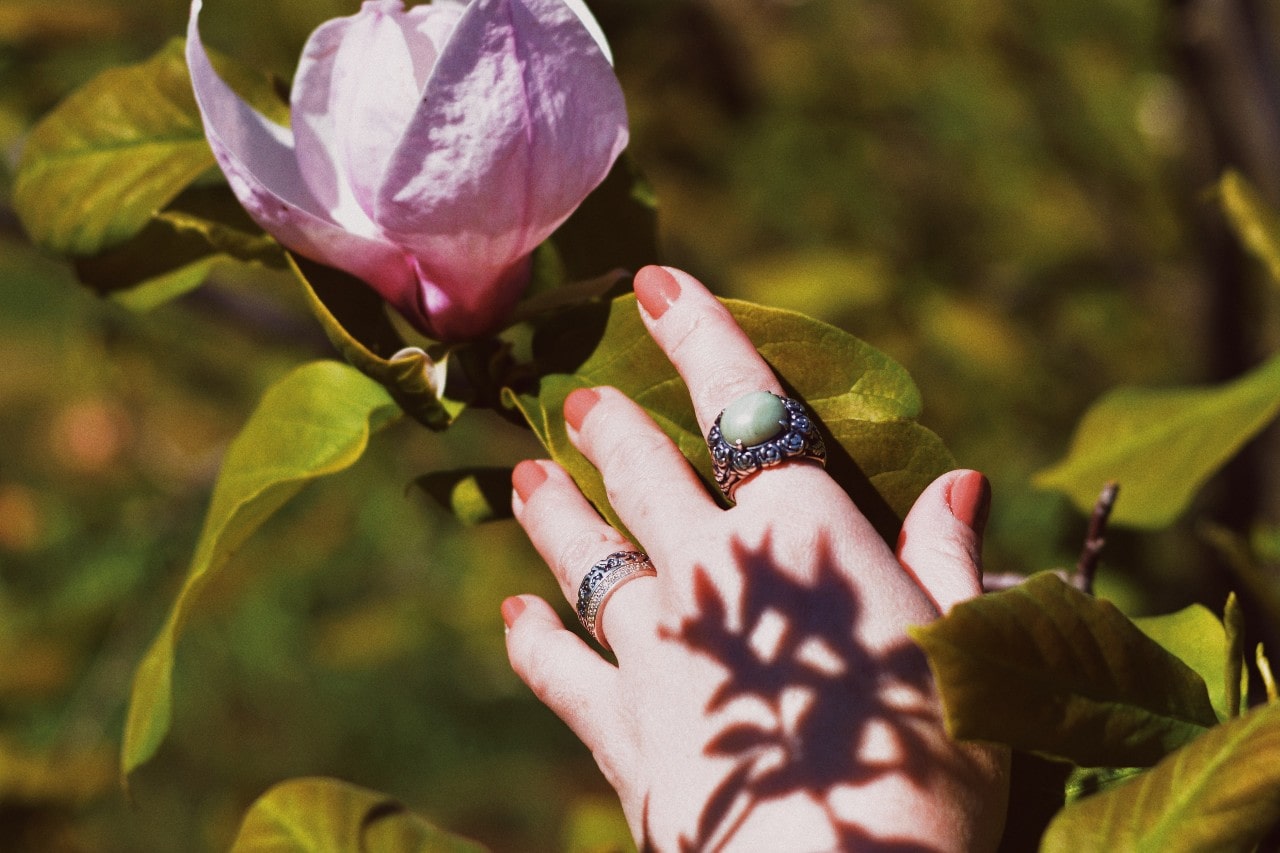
566	676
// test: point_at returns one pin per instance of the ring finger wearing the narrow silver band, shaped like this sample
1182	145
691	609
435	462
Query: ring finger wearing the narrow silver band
573	537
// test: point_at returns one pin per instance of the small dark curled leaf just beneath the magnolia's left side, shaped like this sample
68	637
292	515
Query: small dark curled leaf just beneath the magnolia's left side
356	322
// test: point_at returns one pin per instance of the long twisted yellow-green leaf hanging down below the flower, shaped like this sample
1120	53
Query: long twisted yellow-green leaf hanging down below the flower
314	422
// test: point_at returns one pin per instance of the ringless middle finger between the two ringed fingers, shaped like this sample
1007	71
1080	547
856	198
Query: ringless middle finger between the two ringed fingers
648	481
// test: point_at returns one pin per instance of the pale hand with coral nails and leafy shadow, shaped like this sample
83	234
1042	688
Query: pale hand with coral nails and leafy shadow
766	695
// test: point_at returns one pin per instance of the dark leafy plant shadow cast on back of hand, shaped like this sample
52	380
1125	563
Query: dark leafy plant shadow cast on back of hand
825	691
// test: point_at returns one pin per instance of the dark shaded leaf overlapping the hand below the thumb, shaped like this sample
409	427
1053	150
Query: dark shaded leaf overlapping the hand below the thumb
1049	669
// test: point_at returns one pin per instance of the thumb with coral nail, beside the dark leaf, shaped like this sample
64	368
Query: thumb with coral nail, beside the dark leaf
941	539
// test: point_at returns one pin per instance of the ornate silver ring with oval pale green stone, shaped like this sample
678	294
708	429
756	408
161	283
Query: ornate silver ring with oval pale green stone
758	431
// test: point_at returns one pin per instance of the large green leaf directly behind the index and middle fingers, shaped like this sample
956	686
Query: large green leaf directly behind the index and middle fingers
863	400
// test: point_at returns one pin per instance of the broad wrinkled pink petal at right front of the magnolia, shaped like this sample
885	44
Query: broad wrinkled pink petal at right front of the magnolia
522	118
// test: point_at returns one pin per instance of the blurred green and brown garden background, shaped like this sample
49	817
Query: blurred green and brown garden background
1013	198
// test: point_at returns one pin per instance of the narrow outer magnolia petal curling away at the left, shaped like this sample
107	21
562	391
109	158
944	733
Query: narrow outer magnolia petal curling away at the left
259	162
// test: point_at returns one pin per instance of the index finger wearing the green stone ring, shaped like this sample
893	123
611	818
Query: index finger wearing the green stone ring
717	362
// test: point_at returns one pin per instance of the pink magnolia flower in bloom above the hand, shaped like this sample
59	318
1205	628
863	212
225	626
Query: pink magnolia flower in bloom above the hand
431	149
